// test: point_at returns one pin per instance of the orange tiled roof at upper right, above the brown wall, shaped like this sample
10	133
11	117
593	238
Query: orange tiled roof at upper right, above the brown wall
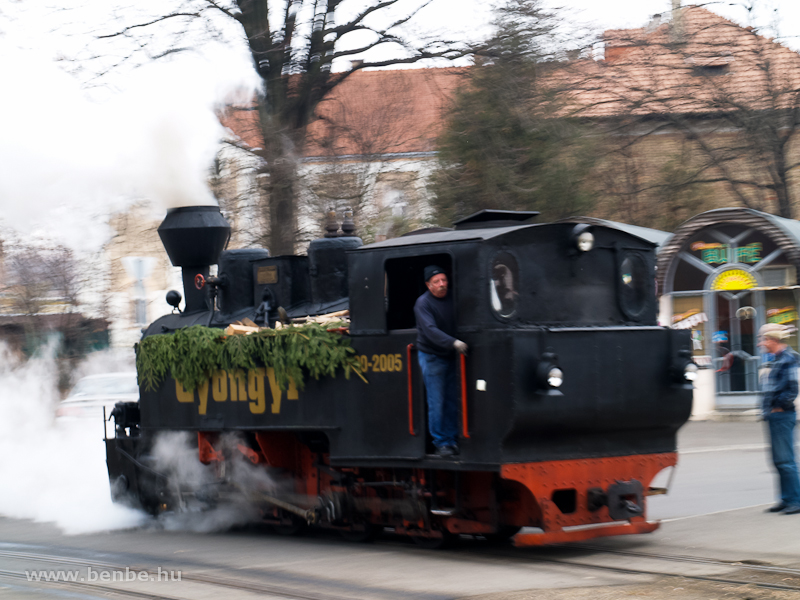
708	64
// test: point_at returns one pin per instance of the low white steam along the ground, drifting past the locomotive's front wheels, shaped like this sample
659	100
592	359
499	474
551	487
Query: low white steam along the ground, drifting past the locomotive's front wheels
56	471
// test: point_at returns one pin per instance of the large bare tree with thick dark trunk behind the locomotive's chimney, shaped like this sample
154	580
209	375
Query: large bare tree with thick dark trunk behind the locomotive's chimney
293	44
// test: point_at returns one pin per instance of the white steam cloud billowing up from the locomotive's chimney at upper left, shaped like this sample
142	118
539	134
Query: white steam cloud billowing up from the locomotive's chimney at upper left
66	161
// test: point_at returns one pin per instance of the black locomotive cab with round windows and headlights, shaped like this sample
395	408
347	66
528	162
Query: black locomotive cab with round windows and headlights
586	316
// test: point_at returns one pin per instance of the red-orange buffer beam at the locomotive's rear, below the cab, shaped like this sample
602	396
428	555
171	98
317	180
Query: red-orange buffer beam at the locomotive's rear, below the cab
587	498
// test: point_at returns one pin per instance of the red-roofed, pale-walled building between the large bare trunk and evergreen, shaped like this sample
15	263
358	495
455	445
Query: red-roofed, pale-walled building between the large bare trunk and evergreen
370	147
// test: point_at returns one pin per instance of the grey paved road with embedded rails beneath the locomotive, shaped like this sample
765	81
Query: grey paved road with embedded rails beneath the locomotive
714	511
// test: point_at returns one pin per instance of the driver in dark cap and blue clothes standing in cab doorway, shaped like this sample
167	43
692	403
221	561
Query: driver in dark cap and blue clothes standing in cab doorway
437	347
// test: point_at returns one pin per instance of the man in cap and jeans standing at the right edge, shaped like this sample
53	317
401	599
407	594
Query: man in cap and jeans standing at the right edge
780	391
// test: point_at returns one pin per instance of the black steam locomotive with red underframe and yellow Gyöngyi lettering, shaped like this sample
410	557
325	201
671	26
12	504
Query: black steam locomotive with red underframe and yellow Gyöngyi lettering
571	395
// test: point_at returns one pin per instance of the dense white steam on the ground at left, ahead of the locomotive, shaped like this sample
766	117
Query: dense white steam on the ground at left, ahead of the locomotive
51	472
